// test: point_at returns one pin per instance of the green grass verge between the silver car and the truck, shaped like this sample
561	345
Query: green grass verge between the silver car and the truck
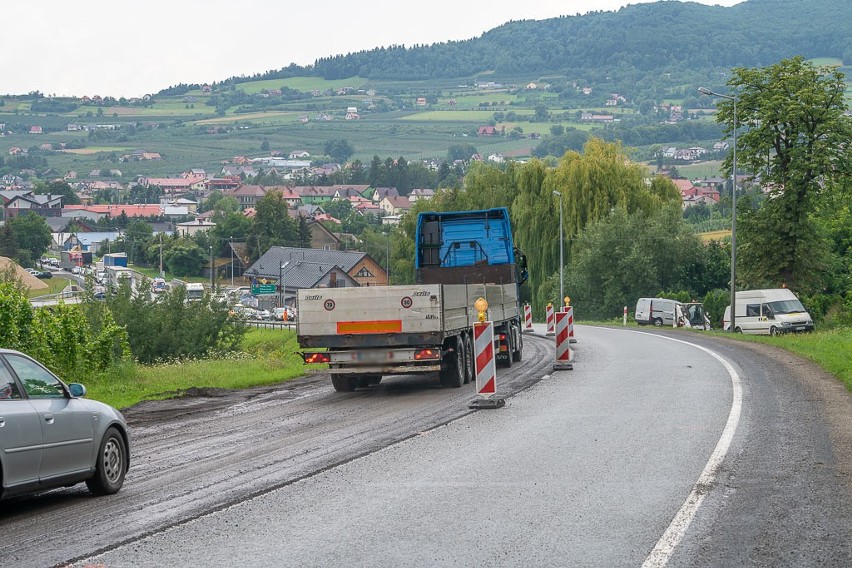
268	357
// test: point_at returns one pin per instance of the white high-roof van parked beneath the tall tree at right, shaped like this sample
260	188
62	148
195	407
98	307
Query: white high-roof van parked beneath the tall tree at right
769	312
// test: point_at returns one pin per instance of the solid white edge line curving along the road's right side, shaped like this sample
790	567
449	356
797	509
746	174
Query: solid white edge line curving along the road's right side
664	548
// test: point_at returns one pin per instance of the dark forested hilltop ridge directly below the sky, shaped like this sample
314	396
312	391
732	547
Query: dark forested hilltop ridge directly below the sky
628	44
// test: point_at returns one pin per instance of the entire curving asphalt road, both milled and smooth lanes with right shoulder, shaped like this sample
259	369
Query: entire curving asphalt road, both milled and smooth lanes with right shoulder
591	467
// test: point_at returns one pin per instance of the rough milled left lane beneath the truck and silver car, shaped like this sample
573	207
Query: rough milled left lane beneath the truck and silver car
216	448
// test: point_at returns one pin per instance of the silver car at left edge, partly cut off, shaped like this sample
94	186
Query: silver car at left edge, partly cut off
52	437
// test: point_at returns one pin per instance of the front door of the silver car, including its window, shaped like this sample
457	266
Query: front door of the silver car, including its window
66	423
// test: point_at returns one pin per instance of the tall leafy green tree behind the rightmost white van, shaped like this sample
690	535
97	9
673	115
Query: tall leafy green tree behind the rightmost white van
795	134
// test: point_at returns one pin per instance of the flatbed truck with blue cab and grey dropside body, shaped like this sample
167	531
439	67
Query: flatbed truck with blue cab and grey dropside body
363	333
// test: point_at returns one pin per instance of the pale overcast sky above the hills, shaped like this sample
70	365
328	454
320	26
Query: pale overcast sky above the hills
128	49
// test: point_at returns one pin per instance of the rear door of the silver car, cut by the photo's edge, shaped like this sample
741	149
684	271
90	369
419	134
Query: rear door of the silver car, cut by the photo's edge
20	433
